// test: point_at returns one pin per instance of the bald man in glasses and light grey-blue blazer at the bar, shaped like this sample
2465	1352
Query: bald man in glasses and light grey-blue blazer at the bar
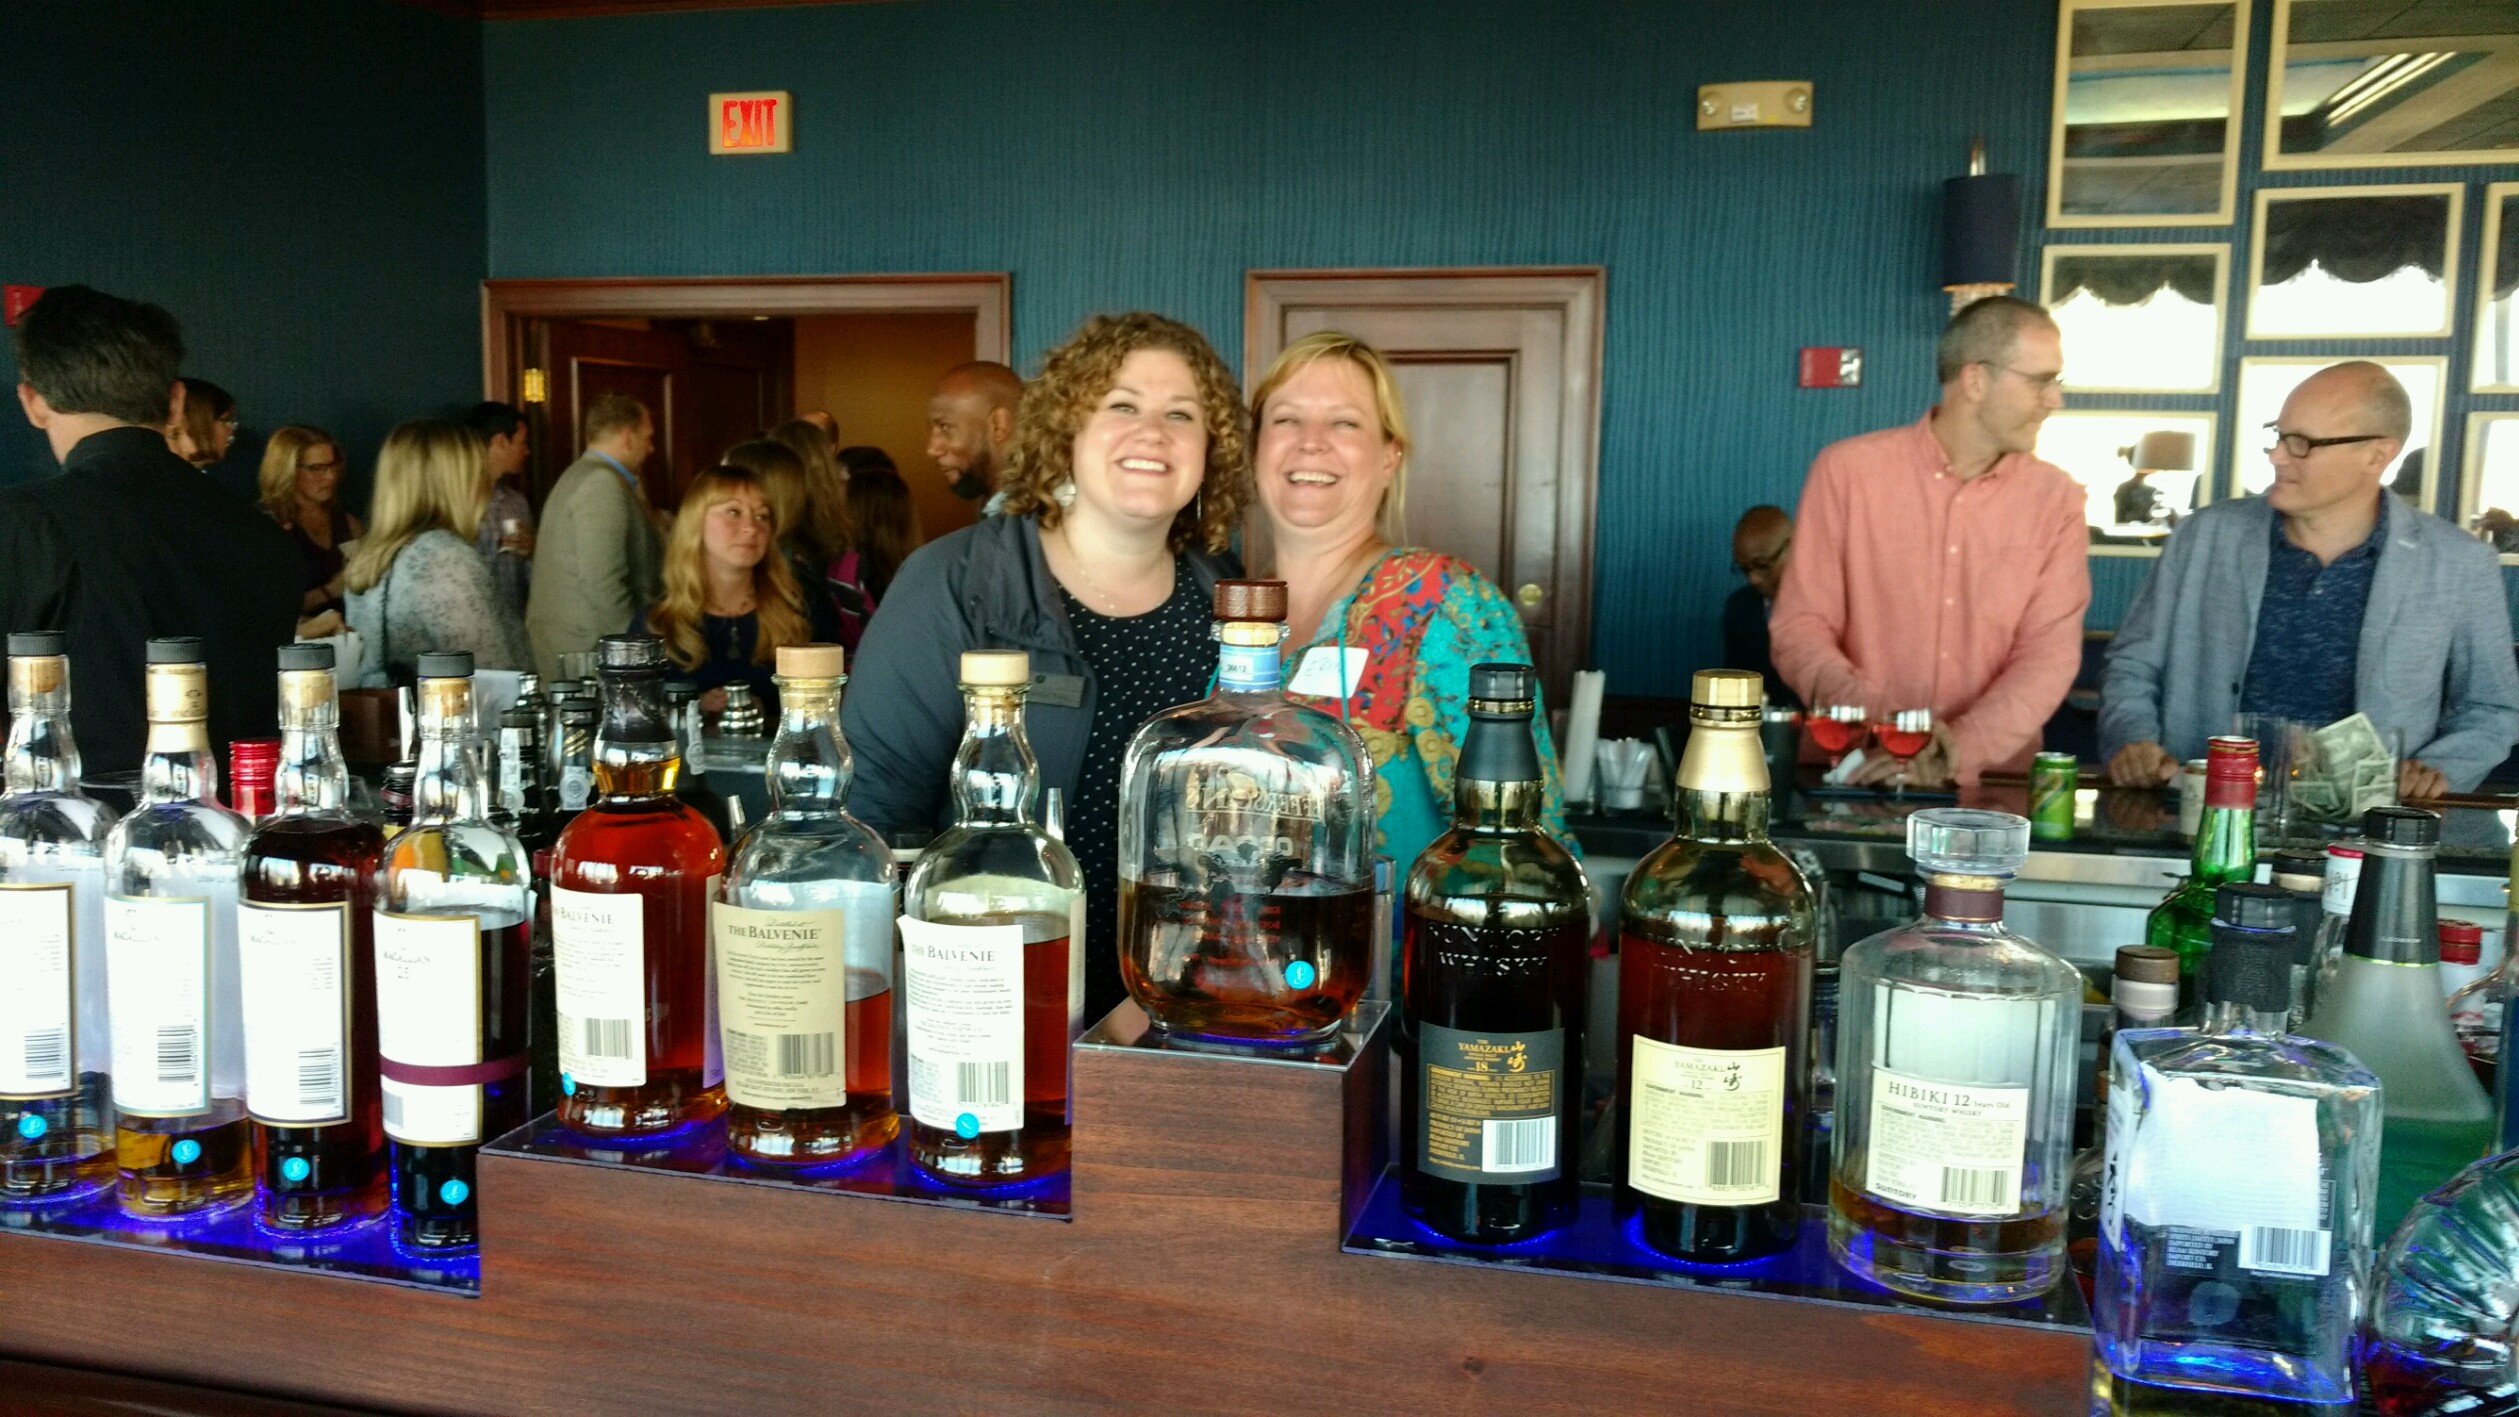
2319	600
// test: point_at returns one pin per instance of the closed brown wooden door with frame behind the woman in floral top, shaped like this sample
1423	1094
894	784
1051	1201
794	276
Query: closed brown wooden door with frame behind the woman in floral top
1500	376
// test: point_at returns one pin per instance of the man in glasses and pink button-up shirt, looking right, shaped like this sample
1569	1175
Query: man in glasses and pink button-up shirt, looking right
1941	565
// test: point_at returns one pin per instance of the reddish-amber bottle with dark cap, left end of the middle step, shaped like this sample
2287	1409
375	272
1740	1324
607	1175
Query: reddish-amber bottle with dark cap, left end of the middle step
631	887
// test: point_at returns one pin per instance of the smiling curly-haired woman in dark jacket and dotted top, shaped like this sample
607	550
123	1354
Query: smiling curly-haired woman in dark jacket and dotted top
1127	474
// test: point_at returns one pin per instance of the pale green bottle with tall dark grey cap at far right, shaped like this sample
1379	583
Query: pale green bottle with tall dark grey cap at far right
2387	1011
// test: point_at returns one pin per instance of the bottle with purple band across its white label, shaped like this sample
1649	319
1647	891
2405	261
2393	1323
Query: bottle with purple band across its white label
452	943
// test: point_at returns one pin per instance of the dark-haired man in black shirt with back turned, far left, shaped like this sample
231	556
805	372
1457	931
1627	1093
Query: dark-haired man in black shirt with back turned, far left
130	542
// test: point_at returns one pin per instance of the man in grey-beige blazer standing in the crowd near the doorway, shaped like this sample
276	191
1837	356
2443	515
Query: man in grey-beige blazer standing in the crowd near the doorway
598	560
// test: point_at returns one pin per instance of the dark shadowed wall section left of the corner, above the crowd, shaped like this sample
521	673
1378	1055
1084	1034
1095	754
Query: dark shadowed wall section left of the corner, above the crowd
296	180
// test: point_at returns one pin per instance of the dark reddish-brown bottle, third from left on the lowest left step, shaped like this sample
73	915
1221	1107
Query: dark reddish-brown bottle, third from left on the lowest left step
309	968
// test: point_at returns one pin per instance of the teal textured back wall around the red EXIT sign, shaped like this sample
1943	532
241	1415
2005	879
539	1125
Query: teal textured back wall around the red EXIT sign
1150	152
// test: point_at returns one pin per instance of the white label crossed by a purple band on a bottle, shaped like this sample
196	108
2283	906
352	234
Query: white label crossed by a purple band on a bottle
429	1016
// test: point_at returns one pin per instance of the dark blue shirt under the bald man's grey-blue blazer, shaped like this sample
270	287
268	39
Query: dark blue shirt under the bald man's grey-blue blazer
2309	628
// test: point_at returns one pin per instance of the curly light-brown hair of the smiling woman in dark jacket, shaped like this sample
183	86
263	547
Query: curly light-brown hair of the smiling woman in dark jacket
1072	384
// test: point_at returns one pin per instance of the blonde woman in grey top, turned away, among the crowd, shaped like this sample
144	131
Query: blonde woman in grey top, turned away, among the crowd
417	583
